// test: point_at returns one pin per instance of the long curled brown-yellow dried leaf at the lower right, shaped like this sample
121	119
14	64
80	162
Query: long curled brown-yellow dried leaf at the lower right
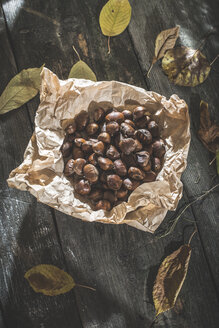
170	278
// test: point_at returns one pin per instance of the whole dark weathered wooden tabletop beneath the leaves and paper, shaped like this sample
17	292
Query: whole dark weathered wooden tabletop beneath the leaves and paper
119	261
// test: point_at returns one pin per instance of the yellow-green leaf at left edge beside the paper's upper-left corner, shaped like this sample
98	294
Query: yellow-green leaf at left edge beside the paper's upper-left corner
22	87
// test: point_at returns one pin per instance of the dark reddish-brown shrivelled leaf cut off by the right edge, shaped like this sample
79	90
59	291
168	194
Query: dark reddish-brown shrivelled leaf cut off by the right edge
208	132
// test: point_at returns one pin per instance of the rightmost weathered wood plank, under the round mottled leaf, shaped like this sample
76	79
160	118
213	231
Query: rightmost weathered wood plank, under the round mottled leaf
196	20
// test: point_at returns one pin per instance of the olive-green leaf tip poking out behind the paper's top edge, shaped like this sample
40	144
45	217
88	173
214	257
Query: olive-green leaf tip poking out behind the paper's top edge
82	71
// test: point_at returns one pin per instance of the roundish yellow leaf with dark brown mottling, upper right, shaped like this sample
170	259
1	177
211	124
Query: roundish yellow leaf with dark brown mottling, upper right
185	66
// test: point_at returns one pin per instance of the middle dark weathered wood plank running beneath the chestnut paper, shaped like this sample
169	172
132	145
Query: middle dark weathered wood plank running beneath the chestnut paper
120	262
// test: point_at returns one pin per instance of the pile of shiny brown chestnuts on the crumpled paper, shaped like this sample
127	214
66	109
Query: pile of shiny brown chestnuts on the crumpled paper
109	154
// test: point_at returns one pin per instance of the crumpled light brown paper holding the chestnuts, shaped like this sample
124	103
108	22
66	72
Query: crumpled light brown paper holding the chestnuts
41	172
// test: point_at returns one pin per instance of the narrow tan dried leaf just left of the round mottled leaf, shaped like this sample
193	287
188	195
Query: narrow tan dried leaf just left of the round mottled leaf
165	40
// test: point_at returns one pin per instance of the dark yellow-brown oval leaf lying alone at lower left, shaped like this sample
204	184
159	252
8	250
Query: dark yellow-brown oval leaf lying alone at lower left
49	280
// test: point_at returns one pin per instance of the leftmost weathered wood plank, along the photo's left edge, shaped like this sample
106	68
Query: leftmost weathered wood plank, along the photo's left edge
28	236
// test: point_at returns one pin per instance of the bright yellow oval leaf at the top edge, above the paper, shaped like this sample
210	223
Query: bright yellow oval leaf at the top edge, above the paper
115	17
